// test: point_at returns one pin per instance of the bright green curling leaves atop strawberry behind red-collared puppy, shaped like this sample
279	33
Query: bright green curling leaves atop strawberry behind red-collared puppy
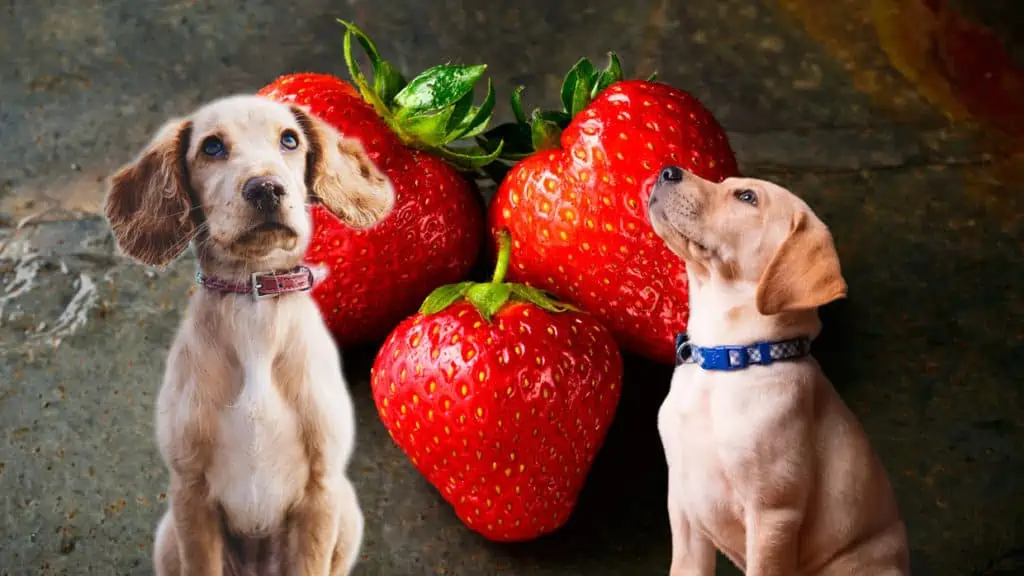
430	112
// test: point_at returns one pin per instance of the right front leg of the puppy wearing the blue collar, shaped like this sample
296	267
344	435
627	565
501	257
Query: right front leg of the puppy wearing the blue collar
774	543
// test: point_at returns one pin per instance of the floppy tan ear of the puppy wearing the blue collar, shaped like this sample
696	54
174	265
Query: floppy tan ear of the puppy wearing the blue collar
804	273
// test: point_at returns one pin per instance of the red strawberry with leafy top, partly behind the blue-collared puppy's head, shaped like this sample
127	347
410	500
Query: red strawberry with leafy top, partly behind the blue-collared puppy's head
577	202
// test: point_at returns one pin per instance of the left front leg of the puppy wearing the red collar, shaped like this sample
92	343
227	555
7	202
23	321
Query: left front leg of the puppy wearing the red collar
197	527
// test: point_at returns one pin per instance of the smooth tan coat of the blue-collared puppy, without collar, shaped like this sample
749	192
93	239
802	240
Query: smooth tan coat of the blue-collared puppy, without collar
766	464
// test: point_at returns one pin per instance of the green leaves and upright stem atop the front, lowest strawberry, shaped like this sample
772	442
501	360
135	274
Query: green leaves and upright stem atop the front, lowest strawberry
490	298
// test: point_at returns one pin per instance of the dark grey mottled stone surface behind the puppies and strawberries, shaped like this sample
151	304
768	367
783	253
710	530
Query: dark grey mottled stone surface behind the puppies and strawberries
923	197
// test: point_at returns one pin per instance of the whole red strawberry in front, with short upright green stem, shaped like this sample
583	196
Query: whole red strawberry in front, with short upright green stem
501	397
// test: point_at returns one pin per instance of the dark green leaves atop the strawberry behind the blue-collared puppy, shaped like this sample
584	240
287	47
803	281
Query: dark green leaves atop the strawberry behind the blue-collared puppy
543	130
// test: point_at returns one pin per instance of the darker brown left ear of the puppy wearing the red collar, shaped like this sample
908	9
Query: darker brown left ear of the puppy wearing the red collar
149	207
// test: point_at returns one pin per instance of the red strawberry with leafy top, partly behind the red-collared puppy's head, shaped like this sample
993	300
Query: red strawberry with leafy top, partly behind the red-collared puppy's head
433	237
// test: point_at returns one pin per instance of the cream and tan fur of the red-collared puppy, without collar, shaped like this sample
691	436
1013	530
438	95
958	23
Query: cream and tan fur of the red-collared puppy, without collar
254	420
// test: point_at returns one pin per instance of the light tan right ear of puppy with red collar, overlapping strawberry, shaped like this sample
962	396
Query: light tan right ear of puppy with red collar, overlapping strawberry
342	175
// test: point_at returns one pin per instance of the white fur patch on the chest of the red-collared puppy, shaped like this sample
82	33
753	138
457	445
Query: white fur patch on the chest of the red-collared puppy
260	467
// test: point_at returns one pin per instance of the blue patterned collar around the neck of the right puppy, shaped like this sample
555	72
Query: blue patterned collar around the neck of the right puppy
739	358
